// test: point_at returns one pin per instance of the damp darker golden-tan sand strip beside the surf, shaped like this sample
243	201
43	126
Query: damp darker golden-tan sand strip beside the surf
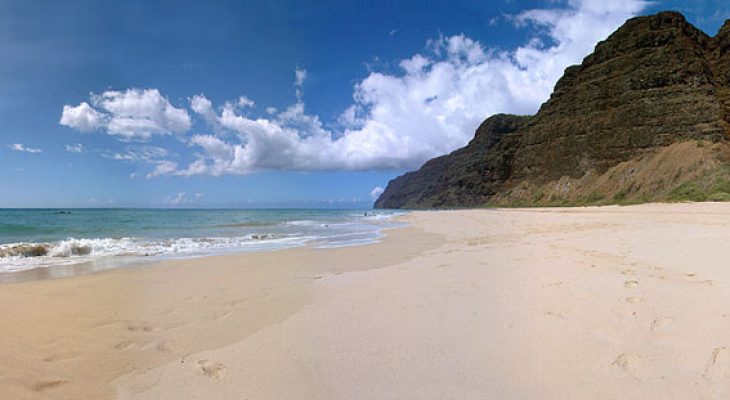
71	337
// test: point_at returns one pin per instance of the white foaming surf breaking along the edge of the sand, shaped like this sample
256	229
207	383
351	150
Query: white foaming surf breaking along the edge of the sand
324	230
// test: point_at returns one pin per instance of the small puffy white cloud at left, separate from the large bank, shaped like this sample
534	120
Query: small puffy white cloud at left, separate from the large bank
133	114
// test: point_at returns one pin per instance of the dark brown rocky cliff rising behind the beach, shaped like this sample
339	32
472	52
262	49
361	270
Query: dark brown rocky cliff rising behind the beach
655	83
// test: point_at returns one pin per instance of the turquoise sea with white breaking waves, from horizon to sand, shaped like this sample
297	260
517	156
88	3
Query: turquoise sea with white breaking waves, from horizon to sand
39	238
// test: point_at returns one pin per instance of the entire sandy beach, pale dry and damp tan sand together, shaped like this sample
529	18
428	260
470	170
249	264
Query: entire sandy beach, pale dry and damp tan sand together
607	303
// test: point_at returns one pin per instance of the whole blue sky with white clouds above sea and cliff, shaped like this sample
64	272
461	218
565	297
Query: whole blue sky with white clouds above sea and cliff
266	104
